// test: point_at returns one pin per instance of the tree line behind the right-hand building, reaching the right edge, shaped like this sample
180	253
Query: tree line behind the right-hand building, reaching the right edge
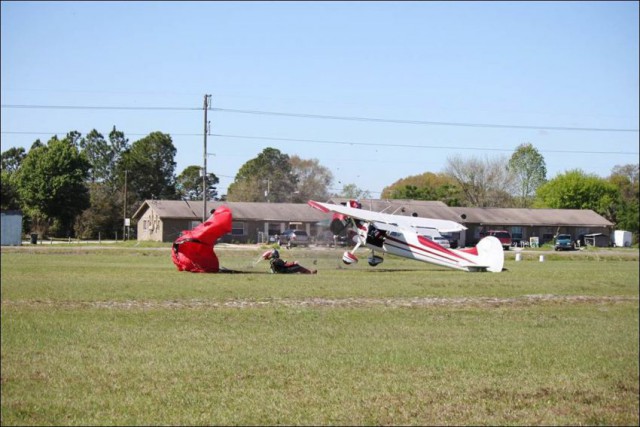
520	182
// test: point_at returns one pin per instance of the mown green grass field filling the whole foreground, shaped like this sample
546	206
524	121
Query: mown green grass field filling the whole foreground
117	336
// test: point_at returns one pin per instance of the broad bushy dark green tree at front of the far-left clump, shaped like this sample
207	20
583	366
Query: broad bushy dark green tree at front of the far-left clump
51	184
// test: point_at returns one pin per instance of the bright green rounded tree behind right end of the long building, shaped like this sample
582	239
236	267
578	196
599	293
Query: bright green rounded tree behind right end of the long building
577	190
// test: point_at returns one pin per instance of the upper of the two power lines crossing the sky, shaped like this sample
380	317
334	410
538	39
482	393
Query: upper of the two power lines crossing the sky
327	117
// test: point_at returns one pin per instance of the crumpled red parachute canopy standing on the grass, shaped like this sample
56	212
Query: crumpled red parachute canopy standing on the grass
193	250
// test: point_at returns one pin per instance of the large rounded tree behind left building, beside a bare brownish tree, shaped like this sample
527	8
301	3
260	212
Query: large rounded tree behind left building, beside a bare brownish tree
268	177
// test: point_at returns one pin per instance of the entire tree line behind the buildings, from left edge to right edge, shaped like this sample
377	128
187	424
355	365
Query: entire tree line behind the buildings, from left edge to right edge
84	186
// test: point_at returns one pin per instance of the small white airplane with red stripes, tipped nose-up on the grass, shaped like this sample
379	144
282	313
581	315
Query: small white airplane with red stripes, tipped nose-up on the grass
410	237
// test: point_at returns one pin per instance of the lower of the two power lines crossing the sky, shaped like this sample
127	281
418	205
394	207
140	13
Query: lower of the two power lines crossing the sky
370	144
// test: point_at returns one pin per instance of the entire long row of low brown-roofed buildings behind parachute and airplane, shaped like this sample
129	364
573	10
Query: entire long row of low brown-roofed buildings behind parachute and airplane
163	220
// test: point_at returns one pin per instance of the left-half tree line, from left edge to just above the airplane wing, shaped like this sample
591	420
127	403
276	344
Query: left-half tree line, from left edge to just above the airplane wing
85	186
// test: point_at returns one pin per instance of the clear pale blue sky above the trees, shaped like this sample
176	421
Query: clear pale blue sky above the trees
375	91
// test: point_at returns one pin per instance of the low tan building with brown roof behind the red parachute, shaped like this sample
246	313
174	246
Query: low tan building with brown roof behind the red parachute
164	220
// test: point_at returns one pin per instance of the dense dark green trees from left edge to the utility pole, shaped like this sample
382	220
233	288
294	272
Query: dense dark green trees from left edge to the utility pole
84	186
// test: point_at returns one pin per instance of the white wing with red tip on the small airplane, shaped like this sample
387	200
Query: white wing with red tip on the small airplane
442	225
